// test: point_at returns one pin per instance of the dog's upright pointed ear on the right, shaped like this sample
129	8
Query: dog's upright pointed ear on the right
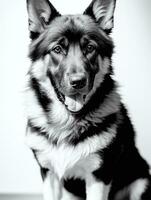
102	11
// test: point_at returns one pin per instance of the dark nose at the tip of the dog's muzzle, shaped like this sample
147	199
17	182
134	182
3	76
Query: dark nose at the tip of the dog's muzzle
78	81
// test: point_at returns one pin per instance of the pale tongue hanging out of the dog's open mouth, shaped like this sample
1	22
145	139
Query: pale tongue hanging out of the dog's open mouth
74	103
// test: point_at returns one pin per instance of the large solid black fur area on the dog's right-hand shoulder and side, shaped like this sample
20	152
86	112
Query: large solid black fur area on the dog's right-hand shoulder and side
124	158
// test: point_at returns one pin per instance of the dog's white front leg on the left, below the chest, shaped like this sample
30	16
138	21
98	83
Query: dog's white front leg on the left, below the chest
52	189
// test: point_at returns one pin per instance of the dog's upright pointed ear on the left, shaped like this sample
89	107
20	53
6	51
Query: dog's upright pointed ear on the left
40	13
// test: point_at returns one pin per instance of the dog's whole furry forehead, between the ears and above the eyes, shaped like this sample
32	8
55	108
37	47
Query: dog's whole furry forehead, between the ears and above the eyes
73	27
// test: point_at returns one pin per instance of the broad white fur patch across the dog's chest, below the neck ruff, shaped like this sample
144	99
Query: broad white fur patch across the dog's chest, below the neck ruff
67	160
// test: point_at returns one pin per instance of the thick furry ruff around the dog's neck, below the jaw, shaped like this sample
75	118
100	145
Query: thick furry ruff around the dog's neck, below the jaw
56	118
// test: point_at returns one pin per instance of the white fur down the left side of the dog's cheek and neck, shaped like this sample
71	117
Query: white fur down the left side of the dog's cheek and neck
34	111
